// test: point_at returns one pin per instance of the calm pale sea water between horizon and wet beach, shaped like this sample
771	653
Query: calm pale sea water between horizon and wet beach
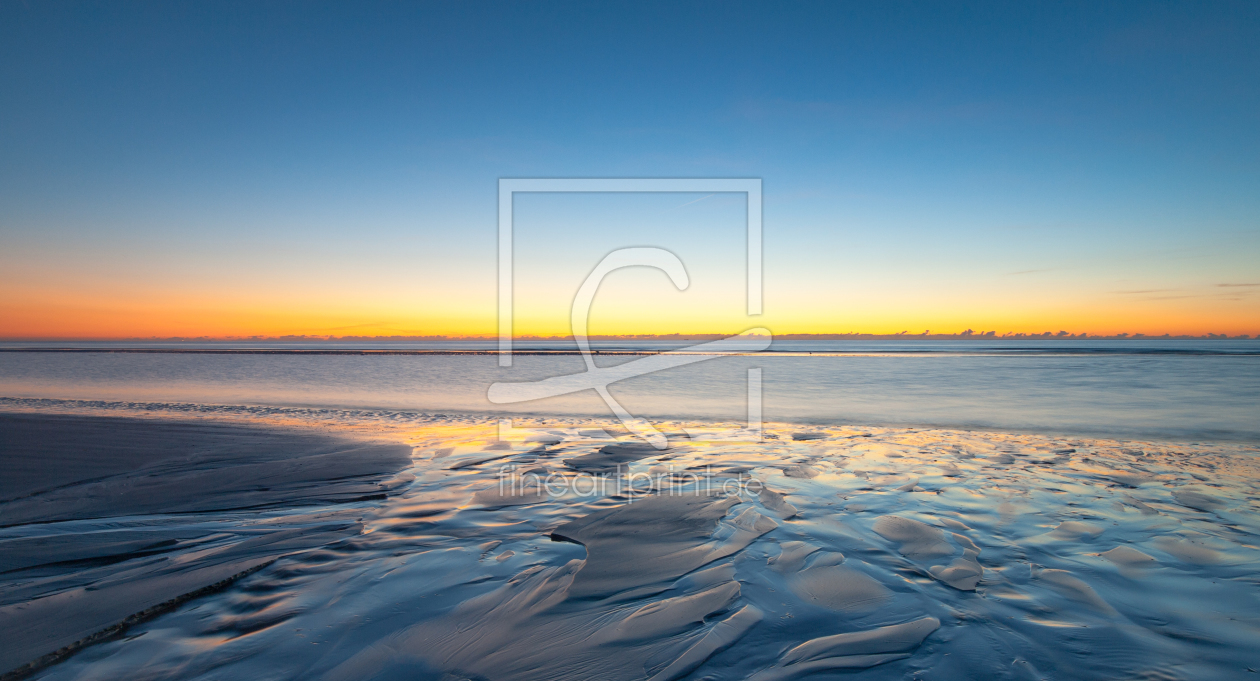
1176	389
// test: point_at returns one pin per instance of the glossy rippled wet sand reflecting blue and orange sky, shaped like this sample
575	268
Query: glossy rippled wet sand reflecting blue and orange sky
871	553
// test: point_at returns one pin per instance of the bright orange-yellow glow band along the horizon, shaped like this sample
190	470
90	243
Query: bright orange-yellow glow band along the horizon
124	320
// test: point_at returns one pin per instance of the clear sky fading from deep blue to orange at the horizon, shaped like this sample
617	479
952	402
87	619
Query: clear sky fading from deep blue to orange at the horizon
236	170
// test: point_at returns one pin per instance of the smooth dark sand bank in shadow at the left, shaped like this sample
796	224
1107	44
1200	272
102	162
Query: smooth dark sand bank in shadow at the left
66	581
